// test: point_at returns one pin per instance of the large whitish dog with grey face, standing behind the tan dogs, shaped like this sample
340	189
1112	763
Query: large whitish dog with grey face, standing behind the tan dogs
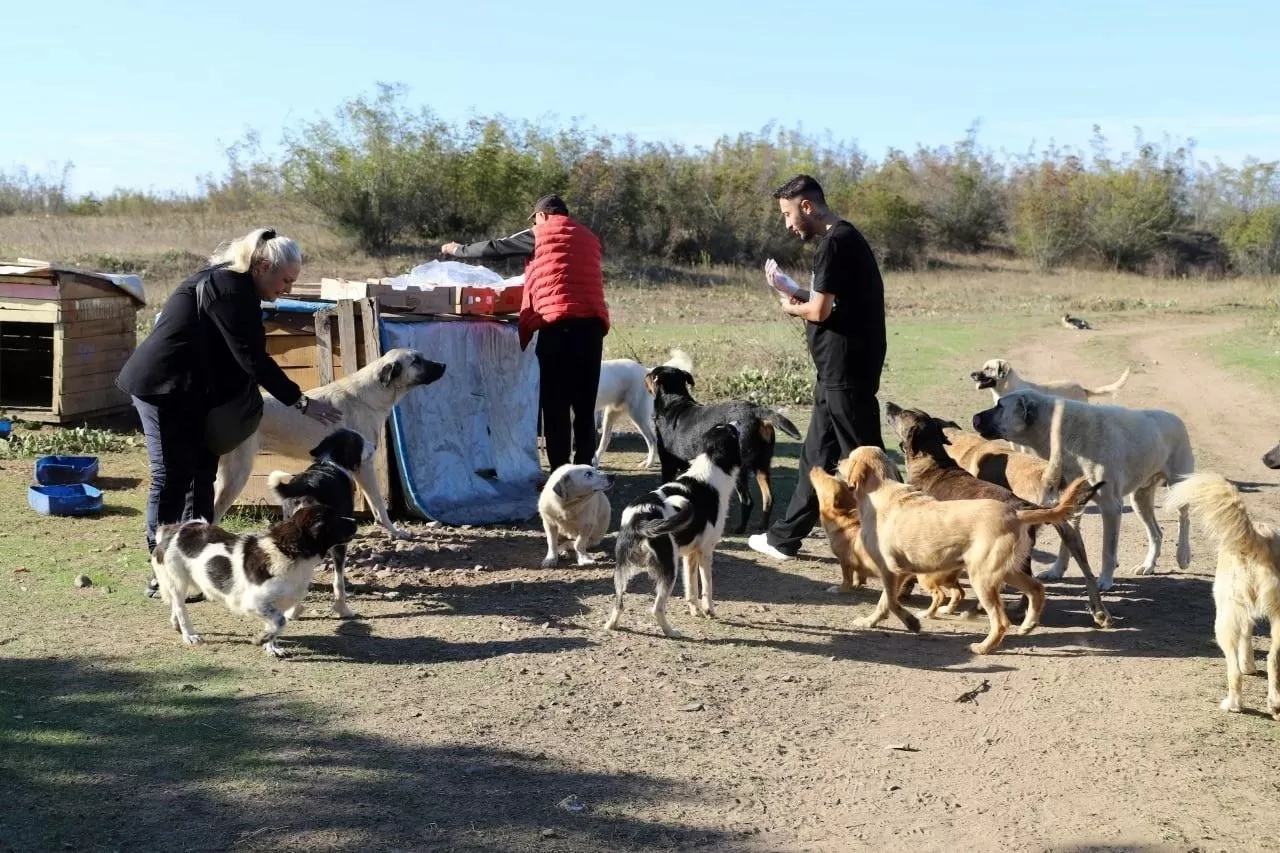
1132	450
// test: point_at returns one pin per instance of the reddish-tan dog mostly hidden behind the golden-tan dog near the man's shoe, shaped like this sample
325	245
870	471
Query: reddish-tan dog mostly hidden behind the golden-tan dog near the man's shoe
838	508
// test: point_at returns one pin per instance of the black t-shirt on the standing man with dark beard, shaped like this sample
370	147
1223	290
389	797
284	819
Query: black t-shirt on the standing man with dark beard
849	346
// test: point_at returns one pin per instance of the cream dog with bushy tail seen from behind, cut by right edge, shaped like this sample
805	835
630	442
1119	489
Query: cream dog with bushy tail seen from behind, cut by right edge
1246	583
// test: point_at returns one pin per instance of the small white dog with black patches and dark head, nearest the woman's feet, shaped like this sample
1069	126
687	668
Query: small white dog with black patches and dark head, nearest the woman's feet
266	576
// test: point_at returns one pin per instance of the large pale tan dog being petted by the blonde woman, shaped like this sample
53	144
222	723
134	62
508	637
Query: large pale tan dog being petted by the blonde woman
365	400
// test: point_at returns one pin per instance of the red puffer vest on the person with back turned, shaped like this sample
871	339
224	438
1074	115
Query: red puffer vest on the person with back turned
563	279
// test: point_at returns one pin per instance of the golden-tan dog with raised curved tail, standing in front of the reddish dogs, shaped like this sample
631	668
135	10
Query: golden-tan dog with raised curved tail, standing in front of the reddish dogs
906	531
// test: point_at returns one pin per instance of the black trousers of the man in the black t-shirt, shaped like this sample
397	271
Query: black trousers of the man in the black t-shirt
843	419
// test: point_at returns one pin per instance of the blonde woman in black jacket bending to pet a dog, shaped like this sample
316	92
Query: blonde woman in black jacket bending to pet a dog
195	380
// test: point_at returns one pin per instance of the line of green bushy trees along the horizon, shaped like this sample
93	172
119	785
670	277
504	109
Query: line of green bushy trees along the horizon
392	176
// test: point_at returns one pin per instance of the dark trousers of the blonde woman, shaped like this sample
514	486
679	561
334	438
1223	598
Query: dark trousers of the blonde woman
184	469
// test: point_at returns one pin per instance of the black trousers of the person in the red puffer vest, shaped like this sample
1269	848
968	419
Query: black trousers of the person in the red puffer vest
569	362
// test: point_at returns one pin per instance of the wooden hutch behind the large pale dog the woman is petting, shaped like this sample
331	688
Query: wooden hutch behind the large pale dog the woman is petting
314	350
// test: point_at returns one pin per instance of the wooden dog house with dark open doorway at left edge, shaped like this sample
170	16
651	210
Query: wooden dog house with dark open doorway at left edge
65	336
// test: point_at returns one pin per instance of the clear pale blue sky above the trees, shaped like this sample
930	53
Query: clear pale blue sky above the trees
147	93
